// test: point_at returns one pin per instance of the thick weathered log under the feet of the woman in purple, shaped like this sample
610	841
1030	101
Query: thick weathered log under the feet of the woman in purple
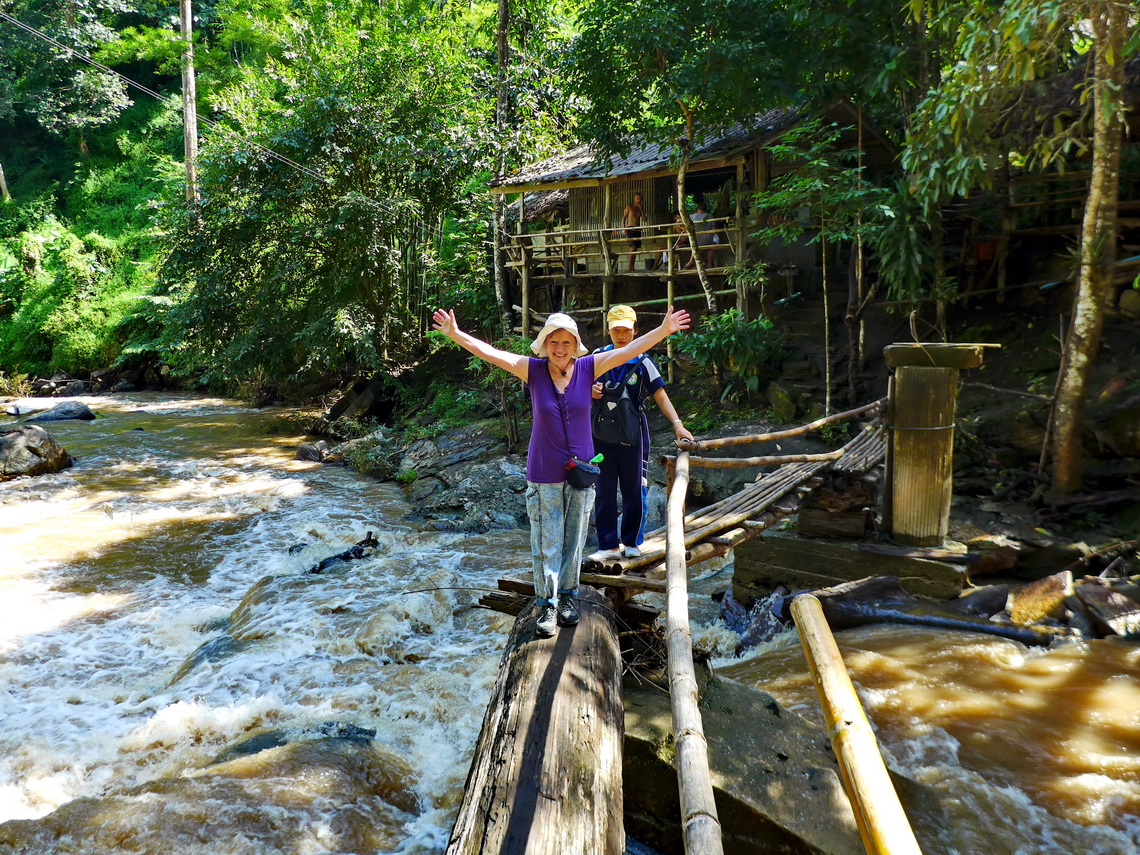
547	776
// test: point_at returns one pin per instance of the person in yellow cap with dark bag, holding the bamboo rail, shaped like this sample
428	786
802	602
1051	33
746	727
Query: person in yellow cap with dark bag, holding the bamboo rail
625	449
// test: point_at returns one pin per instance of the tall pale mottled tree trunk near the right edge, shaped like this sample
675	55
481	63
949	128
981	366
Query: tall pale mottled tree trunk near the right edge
1098	245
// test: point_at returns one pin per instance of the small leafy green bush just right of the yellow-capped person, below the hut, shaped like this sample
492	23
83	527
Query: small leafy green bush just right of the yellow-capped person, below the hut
740	354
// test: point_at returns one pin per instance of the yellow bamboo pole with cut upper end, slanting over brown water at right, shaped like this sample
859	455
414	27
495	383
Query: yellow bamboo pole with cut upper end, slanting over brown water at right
882	823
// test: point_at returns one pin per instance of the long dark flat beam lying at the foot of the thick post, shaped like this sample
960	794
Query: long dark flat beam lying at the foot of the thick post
805	564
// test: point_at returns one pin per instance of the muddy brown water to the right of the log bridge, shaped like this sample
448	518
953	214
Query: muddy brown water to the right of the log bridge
1030	751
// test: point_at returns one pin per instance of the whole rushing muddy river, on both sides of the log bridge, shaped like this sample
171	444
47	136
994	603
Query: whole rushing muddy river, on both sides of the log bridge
159	628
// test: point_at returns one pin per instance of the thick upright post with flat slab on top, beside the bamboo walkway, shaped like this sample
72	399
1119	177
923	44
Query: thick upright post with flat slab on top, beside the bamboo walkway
924	395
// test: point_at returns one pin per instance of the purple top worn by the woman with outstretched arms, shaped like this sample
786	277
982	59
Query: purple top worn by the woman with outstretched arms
547	459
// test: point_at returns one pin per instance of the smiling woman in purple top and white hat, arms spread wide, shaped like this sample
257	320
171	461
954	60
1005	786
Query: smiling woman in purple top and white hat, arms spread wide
560	379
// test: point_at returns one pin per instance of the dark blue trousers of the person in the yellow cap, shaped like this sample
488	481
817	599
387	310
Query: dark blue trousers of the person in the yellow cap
625	469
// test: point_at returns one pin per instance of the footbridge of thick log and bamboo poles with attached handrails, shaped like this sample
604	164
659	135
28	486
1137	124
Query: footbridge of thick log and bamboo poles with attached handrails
547	773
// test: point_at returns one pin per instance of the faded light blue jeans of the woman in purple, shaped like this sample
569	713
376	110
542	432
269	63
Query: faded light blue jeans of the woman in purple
559	516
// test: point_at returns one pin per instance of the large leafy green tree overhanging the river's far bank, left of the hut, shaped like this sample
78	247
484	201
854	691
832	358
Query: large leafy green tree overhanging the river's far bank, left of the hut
292	267
